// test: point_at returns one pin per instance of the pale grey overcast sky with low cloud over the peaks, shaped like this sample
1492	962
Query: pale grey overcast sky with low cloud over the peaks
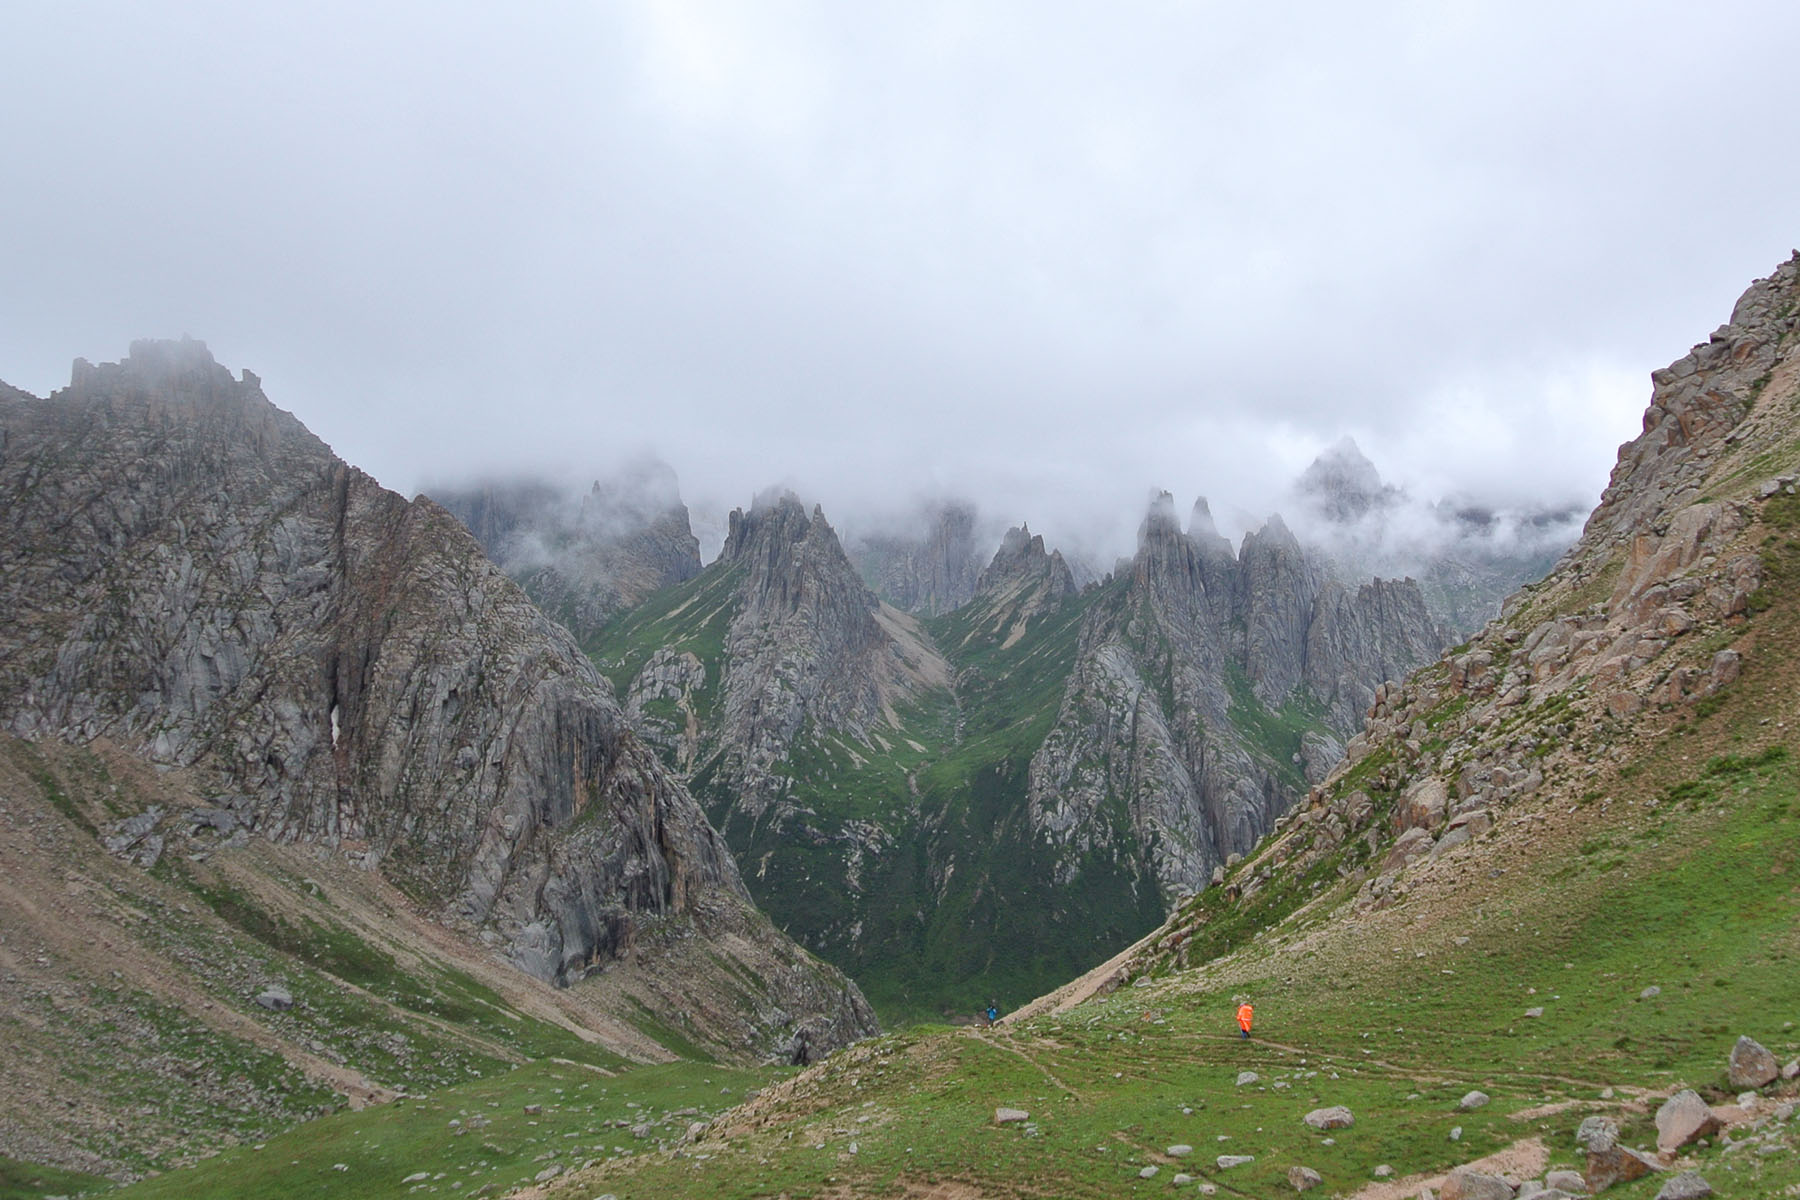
1045	255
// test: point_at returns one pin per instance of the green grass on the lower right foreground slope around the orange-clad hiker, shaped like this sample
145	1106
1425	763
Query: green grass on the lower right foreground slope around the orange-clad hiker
1705	908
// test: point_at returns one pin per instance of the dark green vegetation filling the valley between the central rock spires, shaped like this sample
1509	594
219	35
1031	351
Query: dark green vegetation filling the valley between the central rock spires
953	902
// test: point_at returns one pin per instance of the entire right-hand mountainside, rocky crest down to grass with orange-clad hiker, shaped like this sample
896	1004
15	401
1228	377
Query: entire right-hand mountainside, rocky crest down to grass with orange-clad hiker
1558	868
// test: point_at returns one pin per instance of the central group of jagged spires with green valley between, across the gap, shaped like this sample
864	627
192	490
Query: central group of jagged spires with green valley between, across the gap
1043	769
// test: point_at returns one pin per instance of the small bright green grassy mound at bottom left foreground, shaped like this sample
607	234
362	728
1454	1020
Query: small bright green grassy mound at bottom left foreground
476	1140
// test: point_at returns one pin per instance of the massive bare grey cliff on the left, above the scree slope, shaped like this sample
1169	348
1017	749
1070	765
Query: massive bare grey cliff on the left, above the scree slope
195	577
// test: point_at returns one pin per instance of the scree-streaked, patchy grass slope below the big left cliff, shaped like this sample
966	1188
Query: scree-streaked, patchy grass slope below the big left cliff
130	1010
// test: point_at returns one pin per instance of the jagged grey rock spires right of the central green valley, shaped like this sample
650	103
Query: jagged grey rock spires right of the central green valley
1209	692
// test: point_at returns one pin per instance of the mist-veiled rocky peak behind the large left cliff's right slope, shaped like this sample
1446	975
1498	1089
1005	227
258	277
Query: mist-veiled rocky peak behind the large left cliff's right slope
584	560
